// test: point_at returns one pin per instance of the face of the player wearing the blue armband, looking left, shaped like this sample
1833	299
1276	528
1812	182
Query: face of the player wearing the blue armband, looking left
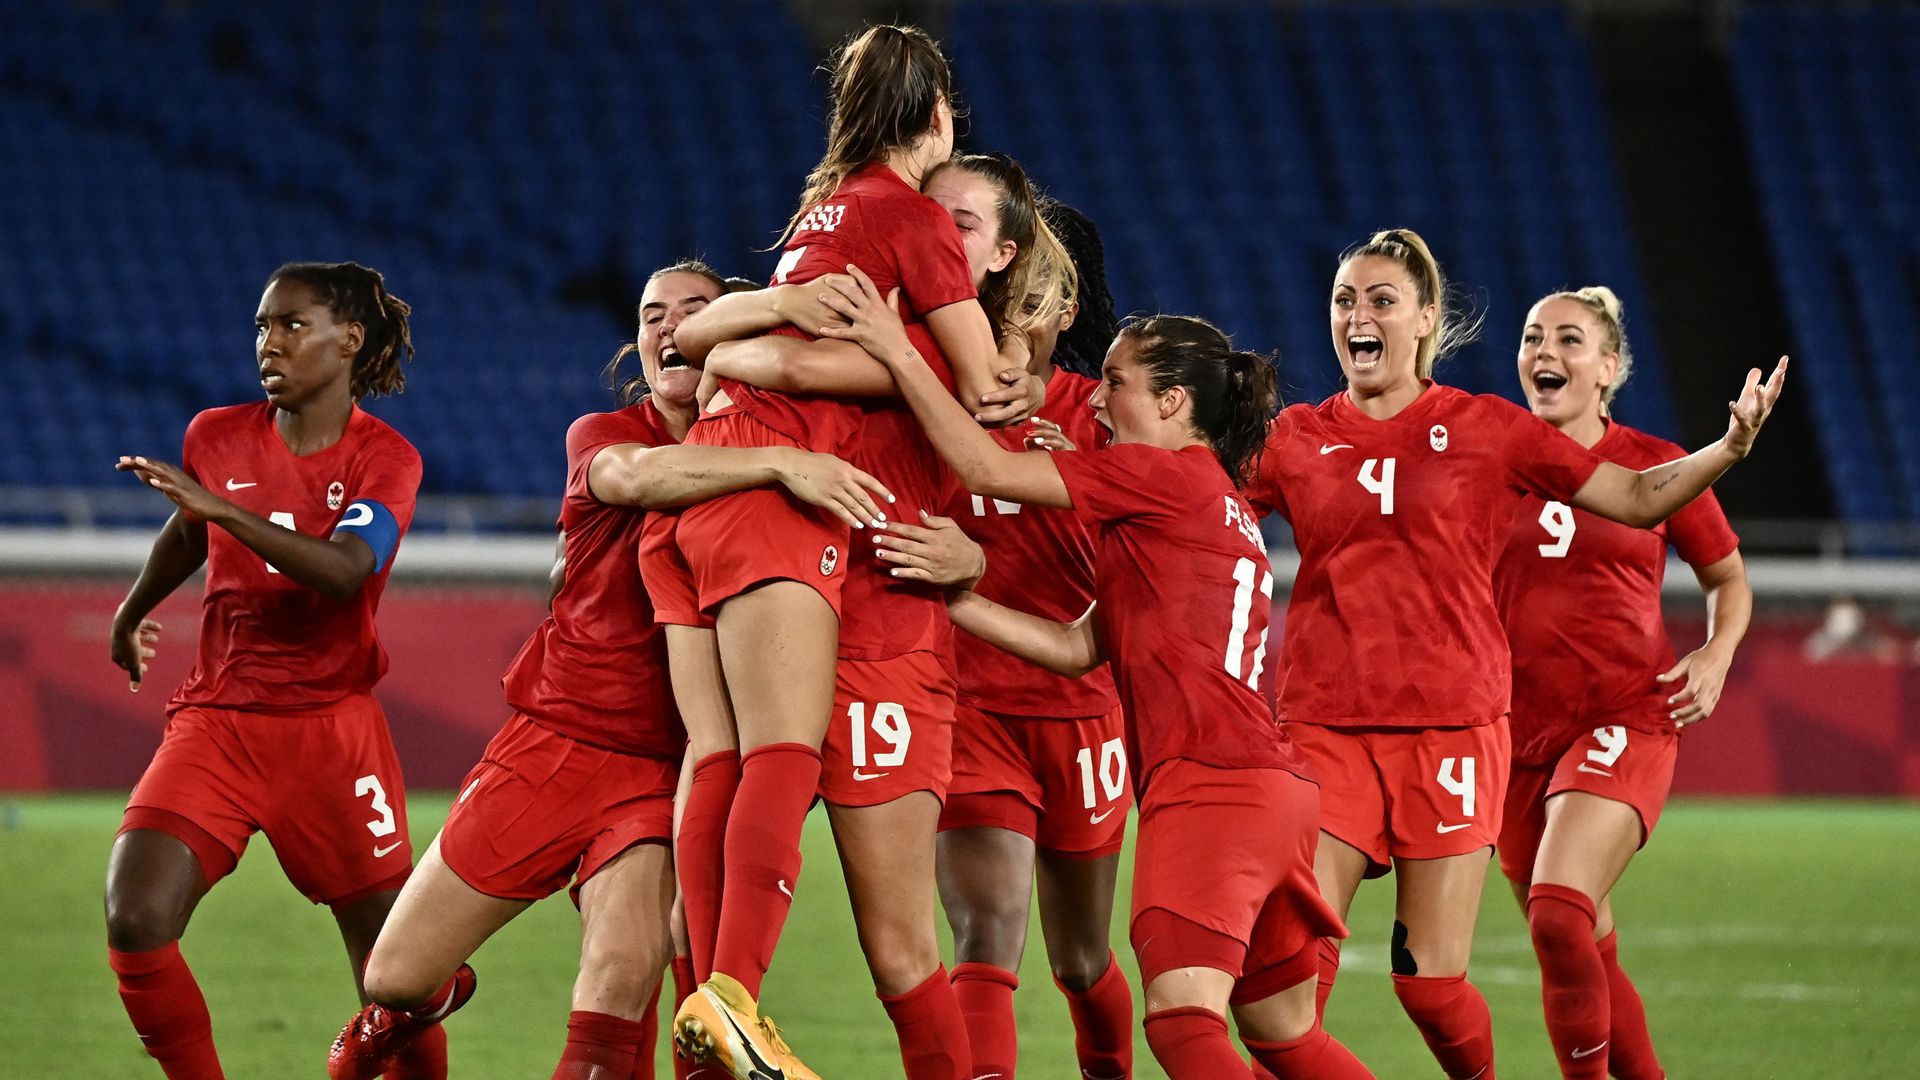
302	351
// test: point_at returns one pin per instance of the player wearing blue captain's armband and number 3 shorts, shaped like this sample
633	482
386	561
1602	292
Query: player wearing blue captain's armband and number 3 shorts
276	729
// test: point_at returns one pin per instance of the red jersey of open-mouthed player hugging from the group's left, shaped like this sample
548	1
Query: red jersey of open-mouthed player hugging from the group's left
596	670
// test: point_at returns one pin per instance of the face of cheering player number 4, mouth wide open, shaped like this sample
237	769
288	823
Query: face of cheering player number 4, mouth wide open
1378	324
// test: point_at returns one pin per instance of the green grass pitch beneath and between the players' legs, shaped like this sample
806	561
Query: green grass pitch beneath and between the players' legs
1767	939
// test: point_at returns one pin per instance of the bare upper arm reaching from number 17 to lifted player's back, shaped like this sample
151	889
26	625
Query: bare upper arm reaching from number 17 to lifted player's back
982	464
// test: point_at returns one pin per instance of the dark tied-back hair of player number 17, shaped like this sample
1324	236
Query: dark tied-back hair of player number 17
1234	393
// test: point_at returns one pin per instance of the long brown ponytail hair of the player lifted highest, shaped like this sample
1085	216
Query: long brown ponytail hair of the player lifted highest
886	87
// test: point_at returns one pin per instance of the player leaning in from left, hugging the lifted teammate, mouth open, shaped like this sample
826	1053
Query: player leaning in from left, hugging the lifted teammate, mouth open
579	785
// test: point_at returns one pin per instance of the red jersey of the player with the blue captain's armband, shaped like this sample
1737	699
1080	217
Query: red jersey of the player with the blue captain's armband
266	641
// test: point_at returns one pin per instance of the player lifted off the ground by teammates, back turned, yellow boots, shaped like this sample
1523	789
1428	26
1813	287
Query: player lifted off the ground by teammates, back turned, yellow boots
767	570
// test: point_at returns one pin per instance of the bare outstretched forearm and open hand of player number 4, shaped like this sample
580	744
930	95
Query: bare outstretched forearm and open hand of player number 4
1650	497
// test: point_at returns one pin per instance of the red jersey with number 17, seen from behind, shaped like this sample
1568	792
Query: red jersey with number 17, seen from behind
1184	585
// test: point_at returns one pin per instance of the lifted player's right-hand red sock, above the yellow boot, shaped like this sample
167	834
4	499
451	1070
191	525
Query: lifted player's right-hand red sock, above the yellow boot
763	856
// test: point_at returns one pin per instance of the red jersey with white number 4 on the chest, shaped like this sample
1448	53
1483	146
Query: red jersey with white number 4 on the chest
1399	526
